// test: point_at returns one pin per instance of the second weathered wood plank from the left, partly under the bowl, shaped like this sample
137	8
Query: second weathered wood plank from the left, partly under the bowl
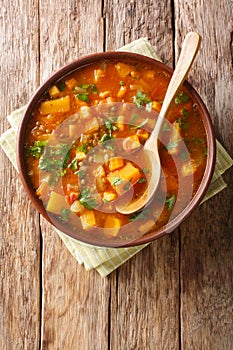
74	302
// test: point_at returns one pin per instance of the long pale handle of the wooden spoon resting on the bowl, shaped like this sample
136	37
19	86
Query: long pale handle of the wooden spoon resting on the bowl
189	50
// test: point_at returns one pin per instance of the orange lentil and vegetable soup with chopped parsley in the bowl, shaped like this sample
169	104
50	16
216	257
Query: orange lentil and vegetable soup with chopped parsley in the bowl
84	142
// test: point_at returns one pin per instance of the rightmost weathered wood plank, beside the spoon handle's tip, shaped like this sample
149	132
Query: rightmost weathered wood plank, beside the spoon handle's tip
207	243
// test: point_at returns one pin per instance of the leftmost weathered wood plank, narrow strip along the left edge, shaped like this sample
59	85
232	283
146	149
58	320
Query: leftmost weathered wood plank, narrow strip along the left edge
20	236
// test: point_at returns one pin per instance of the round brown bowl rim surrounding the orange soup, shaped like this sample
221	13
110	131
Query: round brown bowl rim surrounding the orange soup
69	68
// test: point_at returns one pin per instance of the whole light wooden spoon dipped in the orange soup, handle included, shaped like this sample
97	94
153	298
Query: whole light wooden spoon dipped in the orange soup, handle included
189	50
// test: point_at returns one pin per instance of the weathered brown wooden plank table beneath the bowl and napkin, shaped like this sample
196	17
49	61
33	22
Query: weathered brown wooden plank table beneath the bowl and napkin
178	292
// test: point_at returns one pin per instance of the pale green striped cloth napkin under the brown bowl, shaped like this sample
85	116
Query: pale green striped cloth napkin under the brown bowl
106	260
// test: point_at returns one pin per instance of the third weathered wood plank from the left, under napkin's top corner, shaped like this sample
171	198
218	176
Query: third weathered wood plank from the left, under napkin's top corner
145	293
